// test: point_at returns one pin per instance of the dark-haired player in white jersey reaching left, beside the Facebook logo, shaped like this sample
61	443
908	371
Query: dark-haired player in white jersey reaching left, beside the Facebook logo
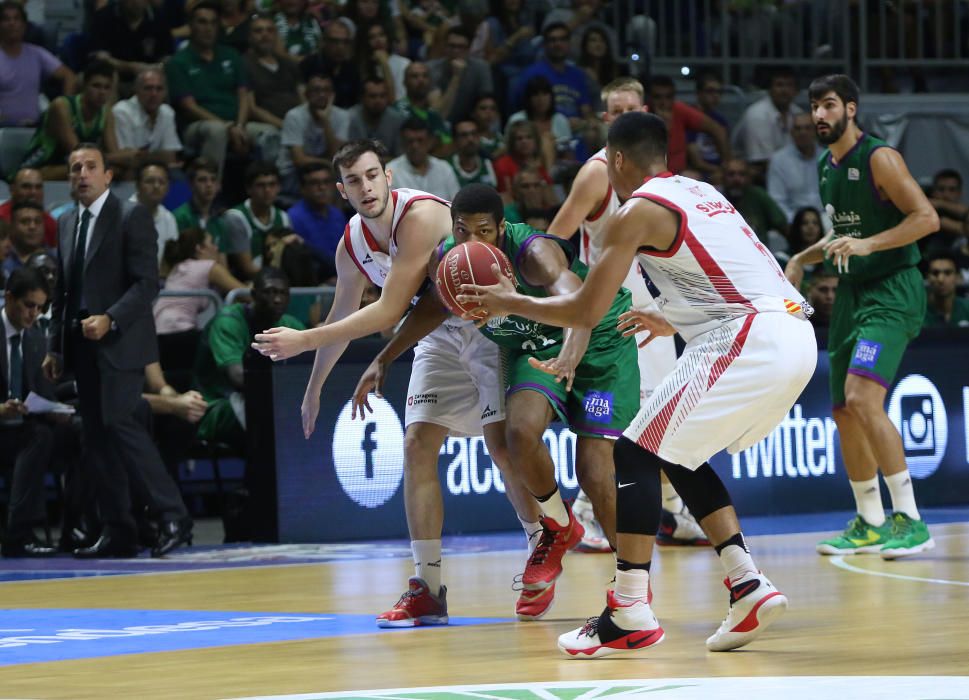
388	243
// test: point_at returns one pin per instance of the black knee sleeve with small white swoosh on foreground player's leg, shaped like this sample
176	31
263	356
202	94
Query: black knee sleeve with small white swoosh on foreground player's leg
638	492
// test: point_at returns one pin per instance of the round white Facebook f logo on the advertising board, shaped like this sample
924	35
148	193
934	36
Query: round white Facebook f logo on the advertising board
368	456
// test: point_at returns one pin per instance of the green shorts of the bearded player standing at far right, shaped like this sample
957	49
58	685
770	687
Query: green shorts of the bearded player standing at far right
871	325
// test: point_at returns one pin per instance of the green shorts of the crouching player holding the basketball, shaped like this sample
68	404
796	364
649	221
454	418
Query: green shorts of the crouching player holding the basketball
605	393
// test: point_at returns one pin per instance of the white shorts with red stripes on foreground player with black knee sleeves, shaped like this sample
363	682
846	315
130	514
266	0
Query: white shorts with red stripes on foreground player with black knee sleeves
729	389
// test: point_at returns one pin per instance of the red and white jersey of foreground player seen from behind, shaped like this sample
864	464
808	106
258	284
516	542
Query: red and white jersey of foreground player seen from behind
716	269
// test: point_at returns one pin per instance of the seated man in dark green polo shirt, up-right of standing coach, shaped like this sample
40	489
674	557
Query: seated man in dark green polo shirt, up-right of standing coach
209	90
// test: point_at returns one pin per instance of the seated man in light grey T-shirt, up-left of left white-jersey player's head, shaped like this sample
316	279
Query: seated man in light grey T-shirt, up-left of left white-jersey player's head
312	132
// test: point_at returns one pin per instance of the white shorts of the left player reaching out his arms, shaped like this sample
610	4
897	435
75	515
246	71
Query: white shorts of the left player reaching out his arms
456	380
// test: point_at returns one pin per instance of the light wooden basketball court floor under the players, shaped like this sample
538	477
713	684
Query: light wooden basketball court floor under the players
858	616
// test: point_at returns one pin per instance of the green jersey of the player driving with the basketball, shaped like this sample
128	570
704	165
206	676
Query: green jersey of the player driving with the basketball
525	335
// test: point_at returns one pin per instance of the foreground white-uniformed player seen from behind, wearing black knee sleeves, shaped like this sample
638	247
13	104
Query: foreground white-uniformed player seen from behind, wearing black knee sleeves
750	351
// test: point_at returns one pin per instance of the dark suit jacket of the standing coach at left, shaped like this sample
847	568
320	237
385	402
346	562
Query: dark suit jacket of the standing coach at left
120	279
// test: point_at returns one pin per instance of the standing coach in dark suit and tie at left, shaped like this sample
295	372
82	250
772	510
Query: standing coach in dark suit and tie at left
102	328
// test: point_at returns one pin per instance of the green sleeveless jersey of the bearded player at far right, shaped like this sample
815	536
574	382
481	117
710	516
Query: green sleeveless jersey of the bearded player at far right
857	209
